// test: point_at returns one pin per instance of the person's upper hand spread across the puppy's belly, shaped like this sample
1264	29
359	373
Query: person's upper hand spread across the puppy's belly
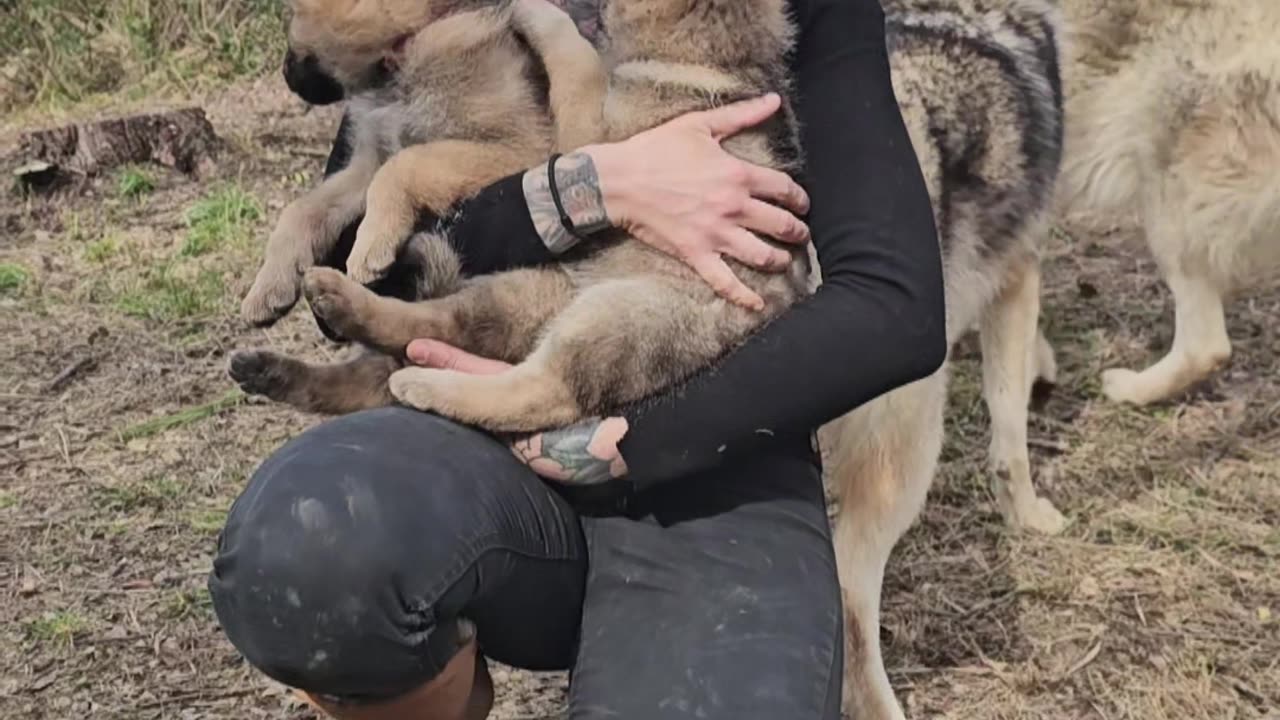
674	188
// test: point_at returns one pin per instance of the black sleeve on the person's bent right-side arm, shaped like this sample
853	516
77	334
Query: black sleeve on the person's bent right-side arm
879	320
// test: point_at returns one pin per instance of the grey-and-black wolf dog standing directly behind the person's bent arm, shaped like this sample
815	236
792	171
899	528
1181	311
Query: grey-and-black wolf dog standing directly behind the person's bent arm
980	88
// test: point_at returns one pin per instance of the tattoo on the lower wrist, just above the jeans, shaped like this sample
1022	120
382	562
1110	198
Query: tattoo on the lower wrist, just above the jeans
566	455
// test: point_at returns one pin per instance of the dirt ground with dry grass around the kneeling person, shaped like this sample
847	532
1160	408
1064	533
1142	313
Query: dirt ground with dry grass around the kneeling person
122	445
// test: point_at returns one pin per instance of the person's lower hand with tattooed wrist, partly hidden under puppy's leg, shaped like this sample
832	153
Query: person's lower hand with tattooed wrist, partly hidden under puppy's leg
586	453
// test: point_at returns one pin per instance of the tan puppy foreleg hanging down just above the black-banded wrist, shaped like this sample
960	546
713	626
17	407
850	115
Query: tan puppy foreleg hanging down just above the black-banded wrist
578	78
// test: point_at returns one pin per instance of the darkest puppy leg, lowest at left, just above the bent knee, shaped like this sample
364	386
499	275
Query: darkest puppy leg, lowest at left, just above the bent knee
336	389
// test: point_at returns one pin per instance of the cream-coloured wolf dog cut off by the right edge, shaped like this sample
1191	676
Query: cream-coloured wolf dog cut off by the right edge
1174	111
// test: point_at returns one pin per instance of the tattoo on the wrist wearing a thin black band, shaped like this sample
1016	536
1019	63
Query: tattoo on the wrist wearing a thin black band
579	188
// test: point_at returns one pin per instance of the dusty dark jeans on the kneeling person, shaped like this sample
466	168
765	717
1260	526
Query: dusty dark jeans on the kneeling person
355	549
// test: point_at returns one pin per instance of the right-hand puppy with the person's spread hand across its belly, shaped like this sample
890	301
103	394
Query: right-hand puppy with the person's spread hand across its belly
621	322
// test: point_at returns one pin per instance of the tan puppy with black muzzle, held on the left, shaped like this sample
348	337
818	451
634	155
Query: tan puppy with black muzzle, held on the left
446	97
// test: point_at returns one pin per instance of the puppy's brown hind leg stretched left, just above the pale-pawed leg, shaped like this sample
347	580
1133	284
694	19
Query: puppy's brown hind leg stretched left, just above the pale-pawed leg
499	316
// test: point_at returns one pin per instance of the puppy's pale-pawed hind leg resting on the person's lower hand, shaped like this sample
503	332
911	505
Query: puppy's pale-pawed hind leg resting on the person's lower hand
620	341
